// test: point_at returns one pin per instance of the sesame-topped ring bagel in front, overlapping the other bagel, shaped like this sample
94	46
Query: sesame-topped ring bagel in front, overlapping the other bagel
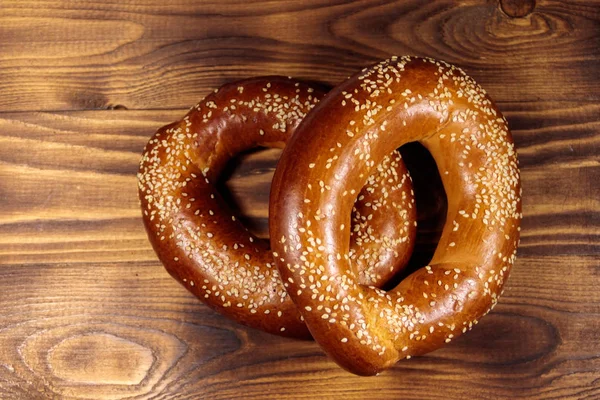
365	329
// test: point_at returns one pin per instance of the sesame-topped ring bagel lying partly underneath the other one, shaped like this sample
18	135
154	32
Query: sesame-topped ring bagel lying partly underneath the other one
202	244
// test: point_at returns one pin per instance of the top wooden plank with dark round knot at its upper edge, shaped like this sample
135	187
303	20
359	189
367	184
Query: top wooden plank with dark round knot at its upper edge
73	55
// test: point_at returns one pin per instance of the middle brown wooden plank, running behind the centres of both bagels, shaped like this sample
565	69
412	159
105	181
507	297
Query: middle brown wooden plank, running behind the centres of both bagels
54	175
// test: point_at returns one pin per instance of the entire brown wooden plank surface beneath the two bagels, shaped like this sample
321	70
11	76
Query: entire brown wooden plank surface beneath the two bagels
87	311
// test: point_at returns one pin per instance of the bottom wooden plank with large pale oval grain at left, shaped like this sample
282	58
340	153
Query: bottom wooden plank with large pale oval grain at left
56	316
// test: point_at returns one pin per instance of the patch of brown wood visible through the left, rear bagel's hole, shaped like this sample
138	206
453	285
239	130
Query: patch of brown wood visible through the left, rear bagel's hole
245	184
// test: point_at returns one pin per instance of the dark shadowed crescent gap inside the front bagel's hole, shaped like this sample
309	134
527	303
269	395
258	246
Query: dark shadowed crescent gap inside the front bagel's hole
432	206
